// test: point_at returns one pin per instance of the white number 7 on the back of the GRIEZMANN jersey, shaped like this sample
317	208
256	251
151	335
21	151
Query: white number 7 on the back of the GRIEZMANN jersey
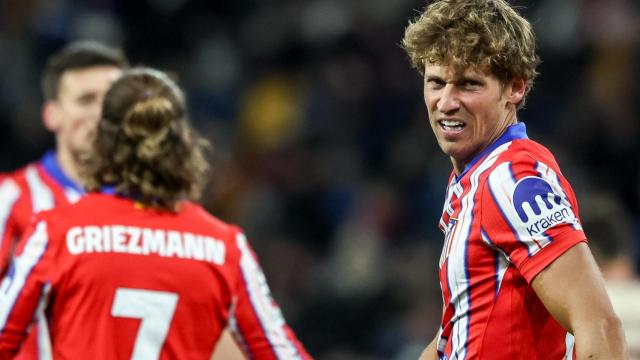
155	309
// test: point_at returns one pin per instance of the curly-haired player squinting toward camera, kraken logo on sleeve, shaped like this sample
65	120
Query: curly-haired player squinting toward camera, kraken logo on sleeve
517	277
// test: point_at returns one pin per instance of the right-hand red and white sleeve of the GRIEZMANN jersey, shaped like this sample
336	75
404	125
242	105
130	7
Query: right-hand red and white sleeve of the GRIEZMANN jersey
255	319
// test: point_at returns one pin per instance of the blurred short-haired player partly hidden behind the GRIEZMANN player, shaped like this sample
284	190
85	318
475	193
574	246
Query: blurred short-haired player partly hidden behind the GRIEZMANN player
73	84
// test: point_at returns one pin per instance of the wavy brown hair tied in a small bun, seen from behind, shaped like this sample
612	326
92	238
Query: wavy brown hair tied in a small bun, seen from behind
145	147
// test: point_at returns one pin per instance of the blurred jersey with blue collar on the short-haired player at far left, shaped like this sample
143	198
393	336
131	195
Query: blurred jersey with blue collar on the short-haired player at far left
39	186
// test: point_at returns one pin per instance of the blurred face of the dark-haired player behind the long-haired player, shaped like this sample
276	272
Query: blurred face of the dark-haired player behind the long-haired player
78	108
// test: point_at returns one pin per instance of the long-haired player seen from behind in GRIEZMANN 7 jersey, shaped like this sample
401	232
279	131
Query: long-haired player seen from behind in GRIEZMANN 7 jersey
135	269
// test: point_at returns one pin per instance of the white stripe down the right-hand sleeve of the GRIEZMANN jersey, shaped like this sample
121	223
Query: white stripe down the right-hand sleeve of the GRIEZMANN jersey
269	315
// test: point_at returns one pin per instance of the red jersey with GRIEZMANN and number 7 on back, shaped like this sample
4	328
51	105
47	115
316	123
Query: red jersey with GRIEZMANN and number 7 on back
120	281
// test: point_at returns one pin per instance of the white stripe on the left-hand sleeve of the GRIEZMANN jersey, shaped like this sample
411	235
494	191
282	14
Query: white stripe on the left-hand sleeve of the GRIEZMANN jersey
22	265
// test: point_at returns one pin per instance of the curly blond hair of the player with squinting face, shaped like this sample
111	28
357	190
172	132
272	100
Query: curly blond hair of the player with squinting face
485	34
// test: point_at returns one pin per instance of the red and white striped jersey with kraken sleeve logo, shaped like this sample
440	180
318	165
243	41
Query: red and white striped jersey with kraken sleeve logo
506	217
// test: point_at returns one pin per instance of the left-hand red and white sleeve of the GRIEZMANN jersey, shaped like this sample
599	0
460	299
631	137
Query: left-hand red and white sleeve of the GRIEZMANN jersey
23	288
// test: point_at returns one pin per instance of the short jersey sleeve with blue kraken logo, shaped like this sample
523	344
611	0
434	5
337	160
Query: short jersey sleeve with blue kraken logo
530	213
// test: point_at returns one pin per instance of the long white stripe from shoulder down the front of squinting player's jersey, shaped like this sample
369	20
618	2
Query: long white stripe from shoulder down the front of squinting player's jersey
456	267
